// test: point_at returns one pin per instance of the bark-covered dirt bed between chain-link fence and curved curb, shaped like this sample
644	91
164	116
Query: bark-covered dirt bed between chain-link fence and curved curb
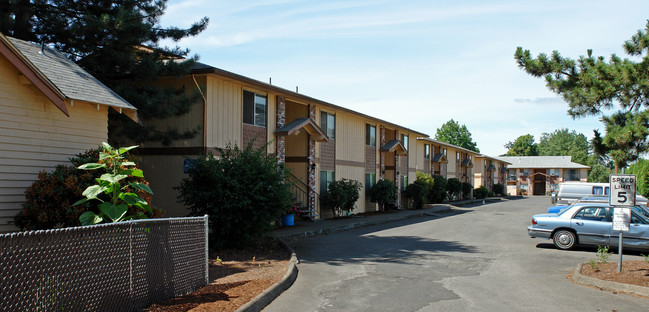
237	276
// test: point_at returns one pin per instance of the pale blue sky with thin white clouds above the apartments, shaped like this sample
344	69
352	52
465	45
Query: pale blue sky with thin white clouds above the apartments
414	63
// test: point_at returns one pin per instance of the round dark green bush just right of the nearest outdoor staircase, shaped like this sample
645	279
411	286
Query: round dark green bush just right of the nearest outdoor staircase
341	196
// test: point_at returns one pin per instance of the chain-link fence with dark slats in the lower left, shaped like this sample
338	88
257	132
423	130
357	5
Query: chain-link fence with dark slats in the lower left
110	267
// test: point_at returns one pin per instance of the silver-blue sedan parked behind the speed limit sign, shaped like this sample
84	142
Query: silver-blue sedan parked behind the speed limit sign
589	224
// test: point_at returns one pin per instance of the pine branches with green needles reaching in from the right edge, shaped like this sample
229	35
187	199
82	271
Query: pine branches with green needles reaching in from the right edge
591	85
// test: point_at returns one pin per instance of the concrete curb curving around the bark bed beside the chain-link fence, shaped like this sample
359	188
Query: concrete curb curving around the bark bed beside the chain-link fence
272	292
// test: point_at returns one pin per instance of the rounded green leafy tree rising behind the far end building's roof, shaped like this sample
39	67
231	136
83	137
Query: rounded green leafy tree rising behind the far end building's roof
563	142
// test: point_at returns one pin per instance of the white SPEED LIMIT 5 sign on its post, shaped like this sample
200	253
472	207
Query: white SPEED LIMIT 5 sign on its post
622	197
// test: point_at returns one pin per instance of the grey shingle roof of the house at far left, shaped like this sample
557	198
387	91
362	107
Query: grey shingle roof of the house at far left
73	82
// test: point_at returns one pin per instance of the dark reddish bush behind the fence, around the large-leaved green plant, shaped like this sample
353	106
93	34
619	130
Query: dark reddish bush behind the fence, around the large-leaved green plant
48	201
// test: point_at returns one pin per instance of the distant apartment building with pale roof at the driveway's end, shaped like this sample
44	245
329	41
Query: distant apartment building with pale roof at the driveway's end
539	175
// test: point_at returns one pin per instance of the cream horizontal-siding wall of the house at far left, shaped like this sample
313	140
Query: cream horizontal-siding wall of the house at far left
36	136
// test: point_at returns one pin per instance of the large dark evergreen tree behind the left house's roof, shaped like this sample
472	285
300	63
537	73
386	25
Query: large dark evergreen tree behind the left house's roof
118	42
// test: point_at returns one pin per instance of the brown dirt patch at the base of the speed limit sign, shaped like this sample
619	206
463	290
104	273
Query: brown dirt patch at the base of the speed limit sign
633	272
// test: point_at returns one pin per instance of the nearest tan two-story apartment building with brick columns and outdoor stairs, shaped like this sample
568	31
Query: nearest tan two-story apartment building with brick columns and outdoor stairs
318	141
